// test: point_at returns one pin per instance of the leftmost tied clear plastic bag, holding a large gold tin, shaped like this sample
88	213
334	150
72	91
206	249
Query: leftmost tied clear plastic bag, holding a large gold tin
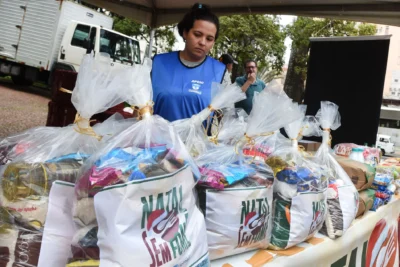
54	154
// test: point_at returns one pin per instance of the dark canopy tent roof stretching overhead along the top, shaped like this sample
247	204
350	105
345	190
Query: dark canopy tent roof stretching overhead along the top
157	13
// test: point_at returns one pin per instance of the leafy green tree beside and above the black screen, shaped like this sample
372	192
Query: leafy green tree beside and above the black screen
300	31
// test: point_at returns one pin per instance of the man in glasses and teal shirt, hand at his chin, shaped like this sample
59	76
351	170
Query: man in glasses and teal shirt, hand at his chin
249	84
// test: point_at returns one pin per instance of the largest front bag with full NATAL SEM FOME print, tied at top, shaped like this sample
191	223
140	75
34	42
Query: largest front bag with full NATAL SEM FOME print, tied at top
137	192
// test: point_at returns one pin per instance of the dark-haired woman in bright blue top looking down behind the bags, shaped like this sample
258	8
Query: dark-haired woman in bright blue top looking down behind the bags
182	79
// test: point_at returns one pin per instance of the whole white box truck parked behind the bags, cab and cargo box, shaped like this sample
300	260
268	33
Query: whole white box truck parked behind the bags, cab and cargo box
39	36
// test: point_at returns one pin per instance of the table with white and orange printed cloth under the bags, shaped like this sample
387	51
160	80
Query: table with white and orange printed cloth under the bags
372	240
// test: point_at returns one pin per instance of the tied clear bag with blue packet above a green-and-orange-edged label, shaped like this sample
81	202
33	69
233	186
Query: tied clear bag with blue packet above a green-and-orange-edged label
299	188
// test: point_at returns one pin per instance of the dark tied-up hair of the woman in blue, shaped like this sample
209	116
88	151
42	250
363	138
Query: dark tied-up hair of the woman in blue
198	12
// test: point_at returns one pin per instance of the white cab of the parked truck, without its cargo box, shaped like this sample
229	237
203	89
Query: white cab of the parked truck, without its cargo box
81	38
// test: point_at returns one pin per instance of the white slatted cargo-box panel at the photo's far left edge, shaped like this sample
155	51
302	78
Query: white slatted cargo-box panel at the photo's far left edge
12	15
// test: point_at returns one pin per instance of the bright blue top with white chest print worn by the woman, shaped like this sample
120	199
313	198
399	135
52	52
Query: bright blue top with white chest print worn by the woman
180	91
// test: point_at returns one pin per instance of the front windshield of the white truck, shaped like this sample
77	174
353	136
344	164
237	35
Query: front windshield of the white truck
119	47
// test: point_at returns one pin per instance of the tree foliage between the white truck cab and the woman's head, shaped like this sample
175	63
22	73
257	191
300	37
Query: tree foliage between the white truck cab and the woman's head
164	37
